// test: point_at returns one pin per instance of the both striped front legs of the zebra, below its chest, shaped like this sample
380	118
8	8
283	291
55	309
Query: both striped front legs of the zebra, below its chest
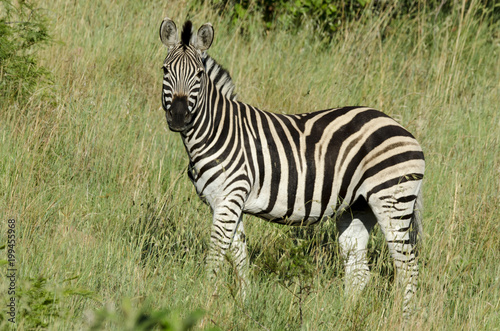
228	236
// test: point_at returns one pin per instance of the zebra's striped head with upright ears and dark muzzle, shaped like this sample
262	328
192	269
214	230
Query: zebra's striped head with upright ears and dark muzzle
183	71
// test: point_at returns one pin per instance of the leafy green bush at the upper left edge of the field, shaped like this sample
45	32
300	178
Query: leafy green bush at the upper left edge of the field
23	29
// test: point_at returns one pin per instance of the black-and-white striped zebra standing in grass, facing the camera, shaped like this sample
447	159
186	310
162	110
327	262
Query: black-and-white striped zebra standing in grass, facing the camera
354	164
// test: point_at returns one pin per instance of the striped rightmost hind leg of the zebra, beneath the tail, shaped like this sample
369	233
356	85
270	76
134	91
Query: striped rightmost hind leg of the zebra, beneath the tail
399	222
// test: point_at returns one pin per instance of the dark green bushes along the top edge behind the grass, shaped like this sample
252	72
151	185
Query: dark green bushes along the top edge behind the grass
328	16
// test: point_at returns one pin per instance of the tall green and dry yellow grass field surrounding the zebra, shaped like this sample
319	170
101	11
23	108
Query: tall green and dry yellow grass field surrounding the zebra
109	227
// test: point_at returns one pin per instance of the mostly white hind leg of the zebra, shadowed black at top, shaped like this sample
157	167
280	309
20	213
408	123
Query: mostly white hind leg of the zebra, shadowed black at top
354	228
